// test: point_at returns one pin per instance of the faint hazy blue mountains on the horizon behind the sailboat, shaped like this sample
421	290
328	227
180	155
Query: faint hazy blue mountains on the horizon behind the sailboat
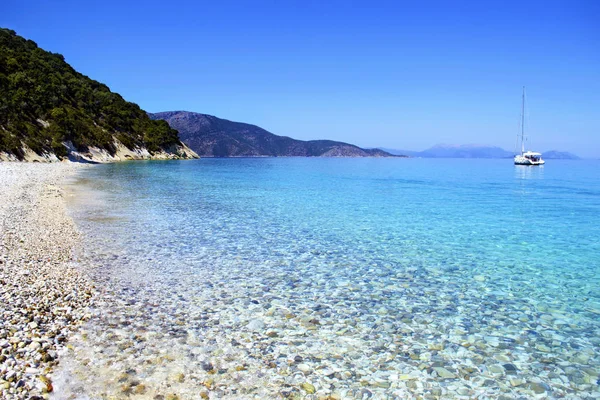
474	151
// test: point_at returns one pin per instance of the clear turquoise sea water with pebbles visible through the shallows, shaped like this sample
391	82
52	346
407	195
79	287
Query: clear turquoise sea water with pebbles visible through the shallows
350	278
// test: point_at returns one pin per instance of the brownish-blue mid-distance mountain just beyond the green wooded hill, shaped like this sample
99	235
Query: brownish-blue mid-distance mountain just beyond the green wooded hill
210	136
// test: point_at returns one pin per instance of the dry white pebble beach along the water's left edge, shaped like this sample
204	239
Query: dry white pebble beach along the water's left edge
44	294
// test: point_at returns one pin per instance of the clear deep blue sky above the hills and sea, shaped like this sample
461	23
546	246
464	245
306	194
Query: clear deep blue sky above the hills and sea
396	74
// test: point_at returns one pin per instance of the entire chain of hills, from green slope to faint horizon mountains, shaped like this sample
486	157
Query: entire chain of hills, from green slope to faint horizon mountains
49	111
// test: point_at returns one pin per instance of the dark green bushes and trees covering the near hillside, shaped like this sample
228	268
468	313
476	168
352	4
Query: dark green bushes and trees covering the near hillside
45	102
